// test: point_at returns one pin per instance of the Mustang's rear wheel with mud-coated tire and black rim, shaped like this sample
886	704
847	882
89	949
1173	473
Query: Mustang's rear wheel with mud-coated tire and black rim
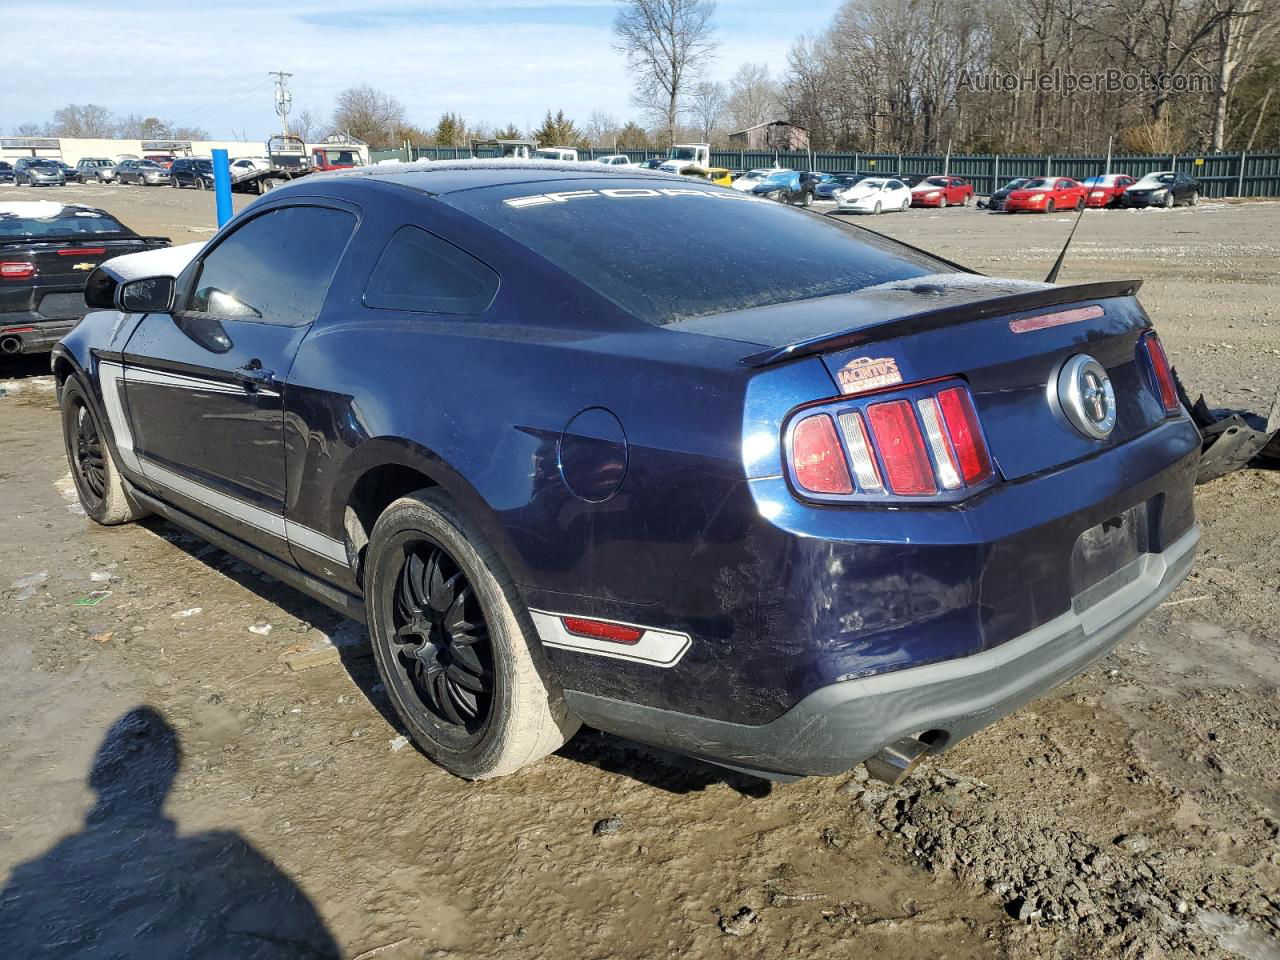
481	708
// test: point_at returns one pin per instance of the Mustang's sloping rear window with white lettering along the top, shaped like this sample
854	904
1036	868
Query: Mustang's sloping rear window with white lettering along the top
668	253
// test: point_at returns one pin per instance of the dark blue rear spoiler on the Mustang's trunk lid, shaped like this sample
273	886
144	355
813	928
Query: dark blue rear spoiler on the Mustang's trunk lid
945	317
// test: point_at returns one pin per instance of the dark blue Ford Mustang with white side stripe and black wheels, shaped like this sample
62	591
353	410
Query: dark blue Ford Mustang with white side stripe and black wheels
689	467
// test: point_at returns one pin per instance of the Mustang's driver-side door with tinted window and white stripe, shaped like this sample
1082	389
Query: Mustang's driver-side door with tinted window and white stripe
205	383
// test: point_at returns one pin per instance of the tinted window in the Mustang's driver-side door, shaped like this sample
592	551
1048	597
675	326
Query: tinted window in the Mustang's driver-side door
276	268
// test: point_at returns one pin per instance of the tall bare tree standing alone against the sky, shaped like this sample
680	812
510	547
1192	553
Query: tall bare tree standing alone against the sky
668	44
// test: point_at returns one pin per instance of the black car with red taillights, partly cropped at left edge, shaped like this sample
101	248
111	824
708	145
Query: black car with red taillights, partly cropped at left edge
47	253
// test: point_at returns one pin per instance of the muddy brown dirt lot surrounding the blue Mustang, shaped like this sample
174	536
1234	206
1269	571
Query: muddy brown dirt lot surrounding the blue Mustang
1135	813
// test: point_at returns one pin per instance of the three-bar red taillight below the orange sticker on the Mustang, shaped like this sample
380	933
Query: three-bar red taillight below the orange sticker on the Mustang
917	442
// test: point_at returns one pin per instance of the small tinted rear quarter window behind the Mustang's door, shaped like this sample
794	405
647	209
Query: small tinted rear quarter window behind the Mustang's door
422	273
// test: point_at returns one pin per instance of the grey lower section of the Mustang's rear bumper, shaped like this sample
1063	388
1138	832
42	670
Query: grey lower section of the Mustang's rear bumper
842	725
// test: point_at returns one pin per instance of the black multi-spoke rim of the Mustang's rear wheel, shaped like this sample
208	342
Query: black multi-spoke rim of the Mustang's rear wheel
442	639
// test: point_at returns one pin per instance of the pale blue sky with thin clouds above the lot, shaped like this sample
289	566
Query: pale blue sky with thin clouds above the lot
492	61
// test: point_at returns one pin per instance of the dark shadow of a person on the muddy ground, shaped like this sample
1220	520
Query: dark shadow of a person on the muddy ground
130	886
